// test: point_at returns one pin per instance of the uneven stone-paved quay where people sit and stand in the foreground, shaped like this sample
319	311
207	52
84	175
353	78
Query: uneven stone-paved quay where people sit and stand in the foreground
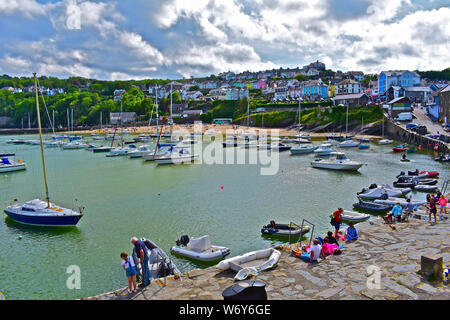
396	253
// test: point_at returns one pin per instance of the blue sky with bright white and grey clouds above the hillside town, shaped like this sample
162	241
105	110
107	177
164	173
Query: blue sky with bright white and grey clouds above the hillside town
174	39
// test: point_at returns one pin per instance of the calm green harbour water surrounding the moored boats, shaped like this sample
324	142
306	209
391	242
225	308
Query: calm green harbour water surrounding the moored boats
128	197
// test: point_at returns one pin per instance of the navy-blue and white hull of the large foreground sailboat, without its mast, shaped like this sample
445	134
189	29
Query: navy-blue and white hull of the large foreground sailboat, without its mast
38	212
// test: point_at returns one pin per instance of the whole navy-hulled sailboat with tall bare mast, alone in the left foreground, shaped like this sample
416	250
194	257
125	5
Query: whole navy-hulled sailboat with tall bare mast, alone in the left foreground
38	212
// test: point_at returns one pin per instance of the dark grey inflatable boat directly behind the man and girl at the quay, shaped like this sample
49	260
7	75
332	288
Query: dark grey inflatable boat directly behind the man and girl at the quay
160	265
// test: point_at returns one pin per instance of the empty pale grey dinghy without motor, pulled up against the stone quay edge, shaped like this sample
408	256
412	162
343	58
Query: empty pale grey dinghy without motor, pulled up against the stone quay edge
259	260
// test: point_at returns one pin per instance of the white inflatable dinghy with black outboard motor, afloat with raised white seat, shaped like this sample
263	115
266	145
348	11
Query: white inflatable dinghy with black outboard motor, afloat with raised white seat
199	249
